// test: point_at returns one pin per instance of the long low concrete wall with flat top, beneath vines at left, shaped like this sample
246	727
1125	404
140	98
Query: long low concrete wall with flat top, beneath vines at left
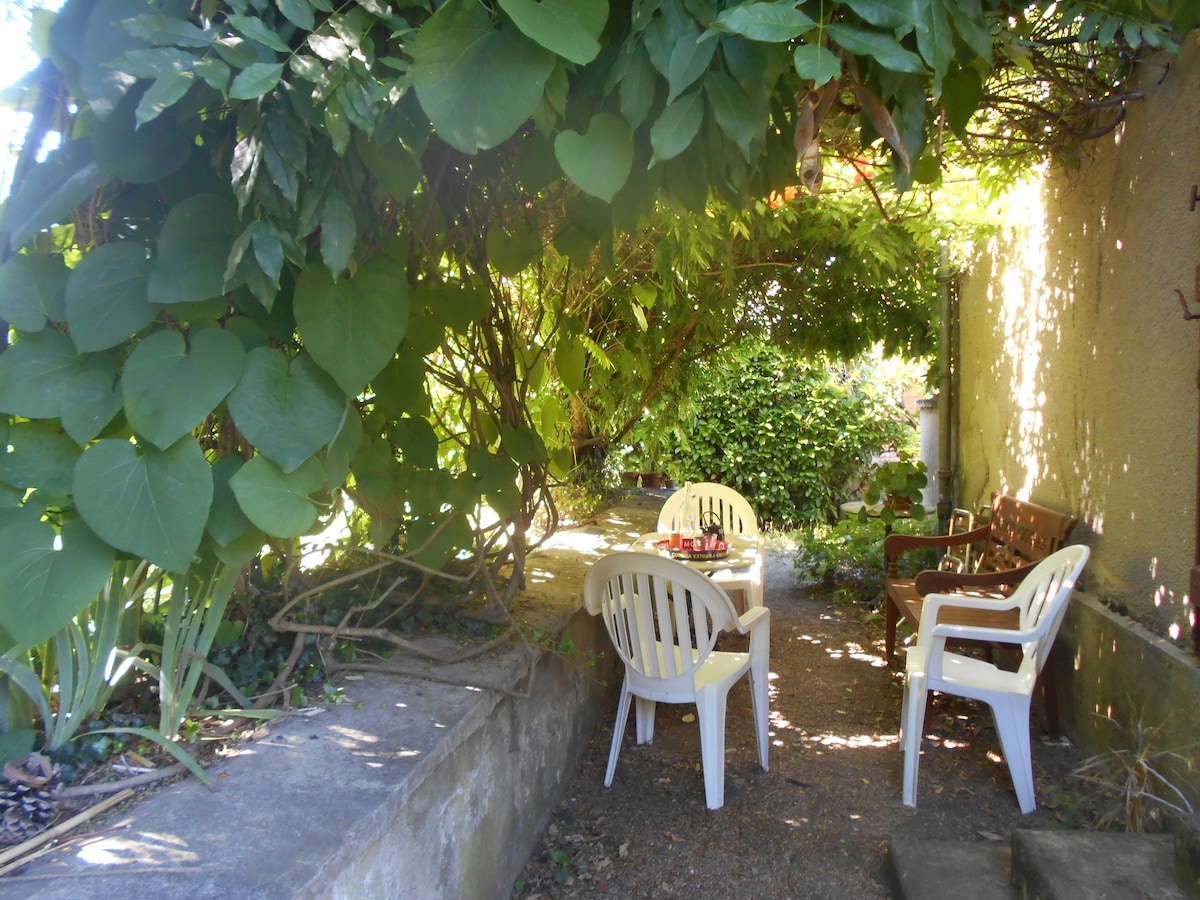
410	789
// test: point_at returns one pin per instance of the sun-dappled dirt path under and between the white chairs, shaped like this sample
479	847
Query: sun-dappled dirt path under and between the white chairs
818	824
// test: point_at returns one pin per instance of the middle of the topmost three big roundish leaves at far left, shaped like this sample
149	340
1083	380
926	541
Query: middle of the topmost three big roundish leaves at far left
106	297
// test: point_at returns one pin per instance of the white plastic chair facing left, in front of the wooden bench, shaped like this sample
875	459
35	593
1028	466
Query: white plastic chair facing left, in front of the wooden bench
1042	604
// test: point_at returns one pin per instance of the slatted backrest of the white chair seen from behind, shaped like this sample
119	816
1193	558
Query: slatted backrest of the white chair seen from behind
663	617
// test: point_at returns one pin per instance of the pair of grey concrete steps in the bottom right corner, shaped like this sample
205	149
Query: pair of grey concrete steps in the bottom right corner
1039	866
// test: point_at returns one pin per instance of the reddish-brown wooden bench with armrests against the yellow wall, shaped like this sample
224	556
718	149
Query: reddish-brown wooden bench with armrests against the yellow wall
1019	536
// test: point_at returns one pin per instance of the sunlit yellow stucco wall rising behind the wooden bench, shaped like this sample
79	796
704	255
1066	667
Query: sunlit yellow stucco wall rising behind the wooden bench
1078	373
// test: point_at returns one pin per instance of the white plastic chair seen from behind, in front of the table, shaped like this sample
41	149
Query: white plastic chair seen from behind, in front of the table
664	620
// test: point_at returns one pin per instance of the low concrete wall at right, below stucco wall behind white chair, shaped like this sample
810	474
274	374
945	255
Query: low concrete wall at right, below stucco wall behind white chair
1108	665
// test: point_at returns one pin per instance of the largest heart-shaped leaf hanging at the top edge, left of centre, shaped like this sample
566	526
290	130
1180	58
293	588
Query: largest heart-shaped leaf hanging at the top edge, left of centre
477	83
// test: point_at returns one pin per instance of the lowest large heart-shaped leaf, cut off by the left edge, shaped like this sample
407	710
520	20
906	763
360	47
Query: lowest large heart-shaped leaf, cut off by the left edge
44	587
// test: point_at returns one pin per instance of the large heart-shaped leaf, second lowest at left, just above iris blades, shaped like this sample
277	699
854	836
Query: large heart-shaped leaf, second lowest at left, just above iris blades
148	502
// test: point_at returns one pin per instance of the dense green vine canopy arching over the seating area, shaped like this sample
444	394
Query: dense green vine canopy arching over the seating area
431	255
